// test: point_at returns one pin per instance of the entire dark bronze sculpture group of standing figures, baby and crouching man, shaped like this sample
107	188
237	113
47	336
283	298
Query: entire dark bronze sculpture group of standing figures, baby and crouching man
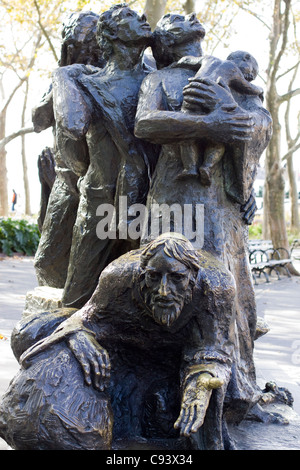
154	345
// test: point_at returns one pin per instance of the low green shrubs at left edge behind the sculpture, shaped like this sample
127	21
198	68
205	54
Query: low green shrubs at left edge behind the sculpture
18	236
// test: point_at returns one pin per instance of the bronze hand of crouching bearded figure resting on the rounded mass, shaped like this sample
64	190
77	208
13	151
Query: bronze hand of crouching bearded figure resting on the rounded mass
93	359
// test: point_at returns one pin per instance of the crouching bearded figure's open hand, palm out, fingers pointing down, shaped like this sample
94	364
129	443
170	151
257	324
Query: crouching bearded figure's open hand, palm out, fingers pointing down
195	401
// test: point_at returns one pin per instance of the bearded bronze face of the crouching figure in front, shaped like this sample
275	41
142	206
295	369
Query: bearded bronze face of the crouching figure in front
167	288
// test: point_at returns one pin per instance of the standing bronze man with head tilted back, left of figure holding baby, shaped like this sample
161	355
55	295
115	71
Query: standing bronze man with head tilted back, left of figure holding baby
101	105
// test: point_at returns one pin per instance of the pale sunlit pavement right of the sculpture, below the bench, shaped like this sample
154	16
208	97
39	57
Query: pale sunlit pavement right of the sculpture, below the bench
277	354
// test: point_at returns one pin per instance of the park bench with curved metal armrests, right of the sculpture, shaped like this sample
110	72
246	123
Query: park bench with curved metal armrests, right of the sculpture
264	259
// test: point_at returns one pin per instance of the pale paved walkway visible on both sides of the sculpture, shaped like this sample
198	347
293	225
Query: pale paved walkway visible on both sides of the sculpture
277	354
